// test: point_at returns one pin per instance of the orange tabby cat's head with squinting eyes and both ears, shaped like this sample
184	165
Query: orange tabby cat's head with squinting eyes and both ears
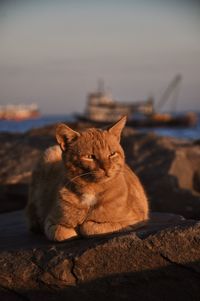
93	155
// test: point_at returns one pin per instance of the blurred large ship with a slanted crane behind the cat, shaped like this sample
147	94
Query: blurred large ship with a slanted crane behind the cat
102	108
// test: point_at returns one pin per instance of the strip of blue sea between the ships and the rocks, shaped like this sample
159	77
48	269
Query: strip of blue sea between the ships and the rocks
192	133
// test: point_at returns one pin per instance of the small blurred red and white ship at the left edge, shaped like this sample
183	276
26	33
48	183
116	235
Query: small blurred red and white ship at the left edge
19	112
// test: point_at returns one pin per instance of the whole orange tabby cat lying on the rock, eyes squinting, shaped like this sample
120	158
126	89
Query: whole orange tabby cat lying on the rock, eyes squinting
84	187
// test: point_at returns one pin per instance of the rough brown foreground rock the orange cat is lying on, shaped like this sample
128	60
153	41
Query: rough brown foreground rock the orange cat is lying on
160	261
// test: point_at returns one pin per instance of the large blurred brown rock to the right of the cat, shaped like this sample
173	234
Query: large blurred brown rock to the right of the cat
169	169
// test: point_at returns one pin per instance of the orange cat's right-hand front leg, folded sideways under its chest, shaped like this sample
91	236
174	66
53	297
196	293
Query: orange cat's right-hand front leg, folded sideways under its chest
90	228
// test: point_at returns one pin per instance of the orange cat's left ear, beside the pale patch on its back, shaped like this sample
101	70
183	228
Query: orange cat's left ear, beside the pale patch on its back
64	135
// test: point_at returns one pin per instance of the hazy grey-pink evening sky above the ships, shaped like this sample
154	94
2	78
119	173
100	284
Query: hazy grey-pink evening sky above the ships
53	52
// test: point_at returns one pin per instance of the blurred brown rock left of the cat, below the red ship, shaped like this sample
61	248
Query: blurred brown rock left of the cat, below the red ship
19	152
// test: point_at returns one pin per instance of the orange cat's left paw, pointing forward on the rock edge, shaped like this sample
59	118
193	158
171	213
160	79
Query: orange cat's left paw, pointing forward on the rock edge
58	232
